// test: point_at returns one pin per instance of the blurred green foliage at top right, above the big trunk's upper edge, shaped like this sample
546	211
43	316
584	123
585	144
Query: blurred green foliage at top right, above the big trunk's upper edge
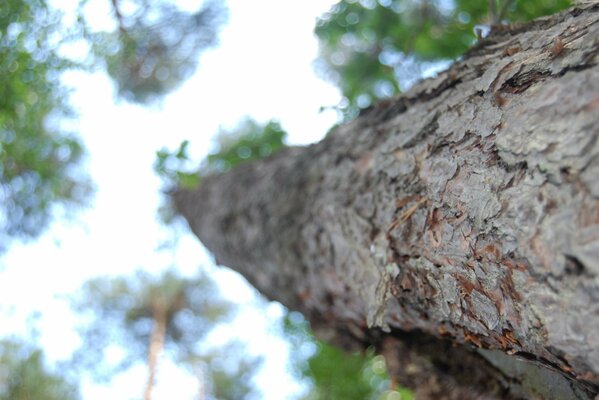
369	46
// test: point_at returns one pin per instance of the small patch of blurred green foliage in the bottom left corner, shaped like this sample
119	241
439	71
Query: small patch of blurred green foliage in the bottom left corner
23	375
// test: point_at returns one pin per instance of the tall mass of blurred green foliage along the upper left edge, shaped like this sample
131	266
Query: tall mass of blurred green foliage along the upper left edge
37	158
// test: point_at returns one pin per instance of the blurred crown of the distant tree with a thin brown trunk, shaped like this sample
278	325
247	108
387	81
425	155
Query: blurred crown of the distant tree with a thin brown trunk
120	313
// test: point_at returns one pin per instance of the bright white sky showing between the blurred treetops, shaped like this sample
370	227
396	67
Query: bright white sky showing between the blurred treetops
263	69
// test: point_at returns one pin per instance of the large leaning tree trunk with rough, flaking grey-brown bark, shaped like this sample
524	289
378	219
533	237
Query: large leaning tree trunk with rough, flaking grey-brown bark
456	227
